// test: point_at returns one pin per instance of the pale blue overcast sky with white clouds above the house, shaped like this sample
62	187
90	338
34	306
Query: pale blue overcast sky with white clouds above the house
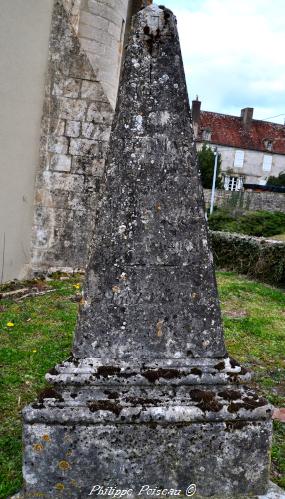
234	54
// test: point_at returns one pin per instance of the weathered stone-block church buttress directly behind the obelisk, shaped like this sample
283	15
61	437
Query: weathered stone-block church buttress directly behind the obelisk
86	47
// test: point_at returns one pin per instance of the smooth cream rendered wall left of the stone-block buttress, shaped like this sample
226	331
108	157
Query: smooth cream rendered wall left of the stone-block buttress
24	35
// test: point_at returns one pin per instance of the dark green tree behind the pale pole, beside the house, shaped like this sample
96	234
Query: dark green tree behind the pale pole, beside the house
206	159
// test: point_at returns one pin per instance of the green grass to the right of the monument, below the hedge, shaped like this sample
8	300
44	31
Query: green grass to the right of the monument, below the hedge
254	323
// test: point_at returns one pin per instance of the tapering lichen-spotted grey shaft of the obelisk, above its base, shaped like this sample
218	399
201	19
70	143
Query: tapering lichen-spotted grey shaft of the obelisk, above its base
150	291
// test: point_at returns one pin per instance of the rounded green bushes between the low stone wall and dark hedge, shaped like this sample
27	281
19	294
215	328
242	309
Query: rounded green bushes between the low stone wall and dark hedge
253	223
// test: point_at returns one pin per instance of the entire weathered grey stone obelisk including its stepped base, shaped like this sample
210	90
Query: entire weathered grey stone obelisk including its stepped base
150	397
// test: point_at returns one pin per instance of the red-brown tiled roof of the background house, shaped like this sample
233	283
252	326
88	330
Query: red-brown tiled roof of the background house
229	131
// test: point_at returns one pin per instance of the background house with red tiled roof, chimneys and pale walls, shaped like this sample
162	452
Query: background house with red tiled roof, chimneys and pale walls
251	150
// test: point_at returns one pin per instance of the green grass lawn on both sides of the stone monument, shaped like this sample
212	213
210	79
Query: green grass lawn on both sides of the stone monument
42	336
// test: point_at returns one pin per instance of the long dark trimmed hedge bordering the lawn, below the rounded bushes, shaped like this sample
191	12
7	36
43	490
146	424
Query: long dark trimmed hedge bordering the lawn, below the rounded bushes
256	257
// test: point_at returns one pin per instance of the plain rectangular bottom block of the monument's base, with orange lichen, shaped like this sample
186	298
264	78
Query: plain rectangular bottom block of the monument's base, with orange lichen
139	451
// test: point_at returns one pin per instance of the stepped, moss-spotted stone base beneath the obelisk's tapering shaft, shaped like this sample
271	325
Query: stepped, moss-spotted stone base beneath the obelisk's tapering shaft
166	424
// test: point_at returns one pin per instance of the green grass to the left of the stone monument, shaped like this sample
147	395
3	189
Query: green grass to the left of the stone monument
40	338
